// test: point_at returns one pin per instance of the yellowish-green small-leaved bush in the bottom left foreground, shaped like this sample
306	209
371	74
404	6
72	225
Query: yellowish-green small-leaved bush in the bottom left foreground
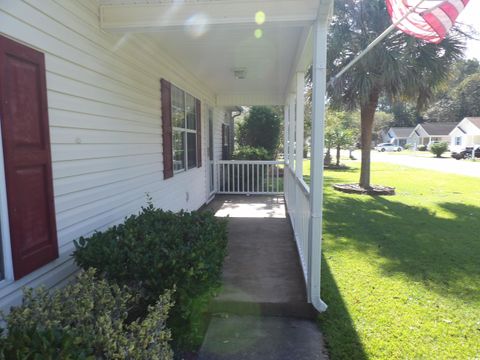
85	320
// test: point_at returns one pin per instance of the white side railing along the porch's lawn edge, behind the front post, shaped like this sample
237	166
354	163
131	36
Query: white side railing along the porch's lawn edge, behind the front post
297	197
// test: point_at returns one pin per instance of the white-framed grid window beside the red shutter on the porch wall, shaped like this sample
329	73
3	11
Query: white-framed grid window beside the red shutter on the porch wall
184	130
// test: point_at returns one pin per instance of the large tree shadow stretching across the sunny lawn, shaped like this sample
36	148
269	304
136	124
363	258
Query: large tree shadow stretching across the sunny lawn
440	252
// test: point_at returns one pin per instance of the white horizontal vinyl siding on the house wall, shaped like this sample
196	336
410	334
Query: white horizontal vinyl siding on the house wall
105	124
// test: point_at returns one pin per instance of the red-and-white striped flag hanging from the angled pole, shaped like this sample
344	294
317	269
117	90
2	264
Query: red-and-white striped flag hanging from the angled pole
429	20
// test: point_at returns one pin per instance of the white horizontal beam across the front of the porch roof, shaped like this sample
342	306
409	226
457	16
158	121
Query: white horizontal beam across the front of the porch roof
171	16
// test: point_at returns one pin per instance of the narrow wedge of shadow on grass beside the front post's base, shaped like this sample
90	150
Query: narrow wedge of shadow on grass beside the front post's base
341	338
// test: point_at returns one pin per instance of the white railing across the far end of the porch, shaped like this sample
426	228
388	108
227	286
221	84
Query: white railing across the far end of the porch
249	177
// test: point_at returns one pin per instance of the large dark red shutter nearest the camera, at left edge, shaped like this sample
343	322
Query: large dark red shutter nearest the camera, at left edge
26	150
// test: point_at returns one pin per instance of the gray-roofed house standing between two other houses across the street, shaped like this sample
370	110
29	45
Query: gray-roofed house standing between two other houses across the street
428	133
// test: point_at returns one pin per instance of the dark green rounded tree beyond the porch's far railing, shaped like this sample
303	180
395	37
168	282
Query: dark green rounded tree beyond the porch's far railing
261	128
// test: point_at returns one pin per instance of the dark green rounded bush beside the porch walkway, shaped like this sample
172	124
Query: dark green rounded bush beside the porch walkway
158	250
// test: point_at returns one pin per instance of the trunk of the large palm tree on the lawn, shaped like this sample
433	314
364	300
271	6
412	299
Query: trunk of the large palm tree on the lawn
367	115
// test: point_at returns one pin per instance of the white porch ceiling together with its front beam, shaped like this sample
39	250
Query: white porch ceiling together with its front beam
214	38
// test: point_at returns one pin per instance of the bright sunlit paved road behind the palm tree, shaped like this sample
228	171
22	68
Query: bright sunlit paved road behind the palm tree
448	165
